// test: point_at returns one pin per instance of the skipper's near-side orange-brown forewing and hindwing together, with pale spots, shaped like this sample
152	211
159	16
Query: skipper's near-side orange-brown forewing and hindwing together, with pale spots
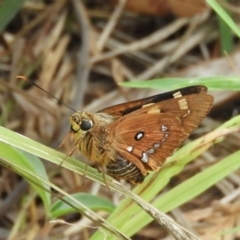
149	135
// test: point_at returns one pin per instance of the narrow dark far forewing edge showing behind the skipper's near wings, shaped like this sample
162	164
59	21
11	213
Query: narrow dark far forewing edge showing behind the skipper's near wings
126	108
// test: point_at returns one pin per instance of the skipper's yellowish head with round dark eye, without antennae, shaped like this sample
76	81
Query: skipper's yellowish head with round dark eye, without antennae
80	123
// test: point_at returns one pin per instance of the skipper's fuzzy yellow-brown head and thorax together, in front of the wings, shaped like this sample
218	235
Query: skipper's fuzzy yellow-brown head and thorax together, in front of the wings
89	134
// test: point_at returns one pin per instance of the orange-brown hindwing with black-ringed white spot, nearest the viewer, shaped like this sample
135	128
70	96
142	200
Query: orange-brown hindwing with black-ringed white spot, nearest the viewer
146	139
